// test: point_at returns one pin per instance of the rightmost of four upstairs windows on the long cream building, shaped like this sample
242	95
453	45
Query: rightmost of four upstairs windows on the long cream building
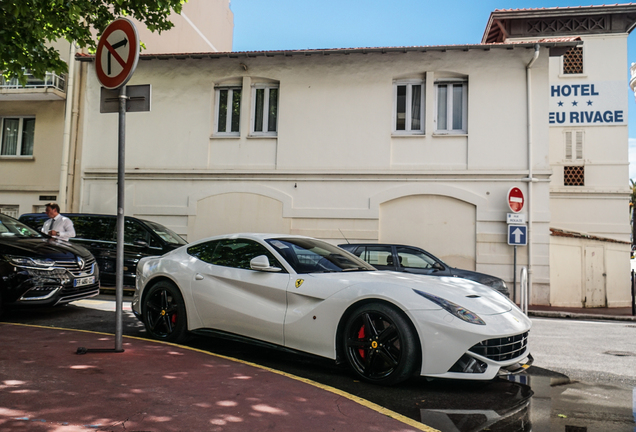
452	107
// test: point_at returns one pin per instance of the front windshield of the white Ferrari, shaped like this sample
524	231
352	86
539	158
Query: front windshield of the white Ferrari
307	255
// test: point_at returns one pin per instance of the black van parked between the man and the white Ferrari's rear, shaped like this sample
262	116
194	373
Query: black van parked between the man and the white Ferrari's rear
98	234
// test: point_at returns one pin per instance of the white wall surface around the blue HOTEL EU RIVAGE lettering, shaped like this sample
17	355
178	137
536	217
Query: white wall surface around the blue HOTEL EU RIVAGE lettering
600	207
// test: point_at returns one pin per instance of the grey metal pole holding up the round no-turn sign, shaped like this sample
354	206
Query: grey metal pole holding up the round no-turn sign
119	287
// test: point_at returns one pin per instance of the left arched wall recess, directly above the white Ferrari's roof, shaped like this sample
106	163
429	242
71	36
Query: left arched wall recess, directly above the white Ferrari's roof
238	212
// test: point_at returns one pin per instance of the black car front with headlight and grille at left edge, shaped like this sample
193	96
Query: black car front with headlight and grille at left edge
38	270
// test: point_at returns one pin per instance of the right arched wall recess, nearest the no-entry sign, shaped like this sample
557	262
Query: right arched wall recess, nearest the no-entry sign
442	225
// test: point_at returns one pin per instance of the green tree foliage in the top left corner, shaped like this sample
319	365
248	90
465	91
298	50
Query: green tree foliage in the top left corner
27	26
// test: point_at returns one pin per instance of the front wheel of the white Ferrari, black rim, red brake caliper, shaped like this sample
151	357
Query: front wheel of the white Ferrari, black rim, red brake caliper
380	344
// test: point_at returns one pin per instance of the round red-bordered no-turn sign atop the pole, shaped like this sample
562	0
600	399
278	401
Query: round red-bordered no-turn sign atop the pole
117	53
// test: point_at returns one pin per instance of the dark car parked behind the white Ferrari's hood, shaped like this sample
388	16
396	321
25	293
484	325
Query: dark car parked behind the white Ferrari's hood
411	259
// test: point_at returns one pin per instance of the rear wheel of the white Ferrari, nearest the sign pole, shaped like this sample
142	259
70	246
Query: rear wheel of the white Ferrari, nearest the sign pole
164	313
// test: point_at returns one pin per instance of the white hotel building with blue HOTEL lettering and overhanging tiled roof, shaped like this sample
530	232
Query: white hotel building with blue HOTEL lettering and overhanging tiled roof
588	133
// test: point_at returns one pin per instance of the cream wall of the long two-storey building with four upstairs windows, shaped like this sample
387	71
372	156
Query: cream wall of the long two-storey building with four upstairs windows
334	169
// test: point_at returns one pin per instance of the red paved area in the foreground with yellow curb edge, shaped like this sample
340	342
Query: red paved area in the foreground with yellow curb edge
46	386
